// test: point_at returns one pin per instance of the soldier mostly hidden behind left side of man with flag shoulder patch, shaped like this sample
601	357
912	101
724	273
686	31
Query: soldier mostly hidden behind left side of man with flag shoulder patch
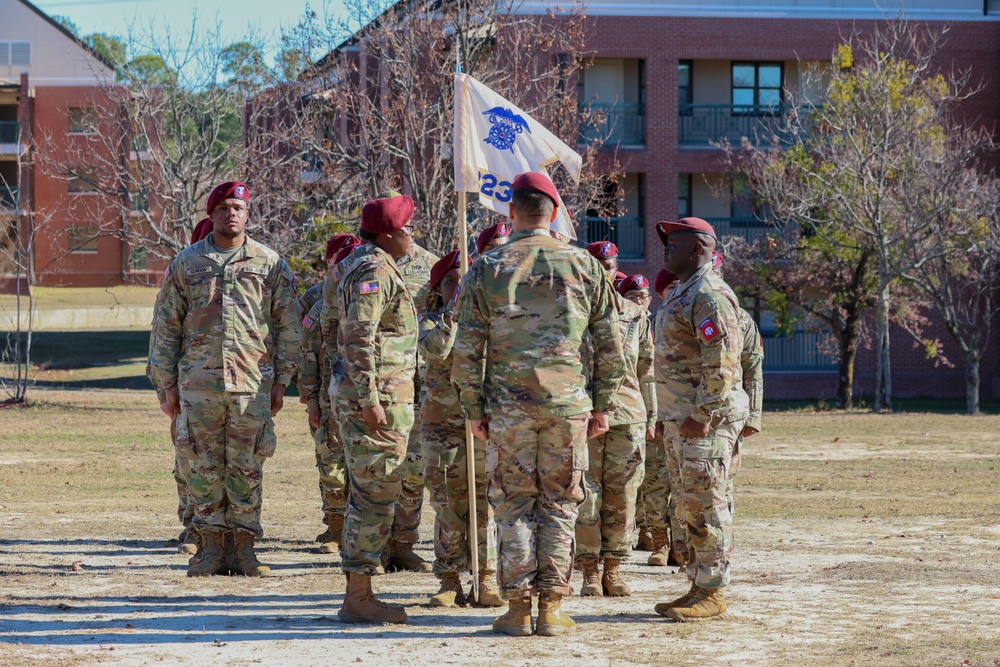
313	380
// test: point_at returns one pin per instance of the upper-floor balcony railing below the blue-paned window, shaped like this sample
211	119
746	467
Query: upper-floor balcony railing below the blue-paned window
703	123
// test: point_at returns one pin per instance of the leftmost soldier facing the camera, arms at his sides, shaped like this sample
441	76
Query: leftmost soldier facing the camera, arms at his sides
225	347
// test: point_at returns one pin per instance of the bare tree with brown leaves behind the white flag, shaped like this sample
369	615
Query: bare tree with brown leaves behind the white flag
383	95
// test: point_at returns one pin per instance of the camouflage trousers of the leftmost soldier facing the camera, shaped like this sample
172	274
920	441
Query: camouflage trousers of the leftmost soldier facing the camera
226	436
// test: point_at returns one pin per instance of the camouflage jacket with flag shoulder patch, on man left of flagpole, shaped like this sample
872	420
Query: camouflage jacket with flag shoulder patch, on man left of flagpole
378	330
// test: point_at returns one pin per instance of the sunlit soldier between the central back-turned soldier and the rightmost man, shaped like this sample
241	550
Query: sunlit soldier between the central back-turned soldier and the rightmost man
606	522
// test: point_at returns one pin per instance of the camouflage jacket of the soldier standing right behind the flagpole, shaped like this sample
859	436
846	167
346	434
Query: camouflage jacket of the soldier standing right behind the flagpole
440	405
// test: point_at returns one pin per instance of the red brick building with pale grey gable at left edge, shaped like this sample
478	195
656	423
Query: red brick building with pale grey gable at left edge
51	108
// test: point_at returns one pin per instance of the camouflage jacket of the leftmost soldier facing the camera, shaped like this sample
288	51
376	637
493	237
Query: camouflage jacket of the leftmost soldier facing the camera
232	327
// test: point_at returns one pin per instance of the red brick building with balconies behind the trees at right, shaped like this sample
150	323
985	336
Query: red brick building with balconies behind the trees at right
674	75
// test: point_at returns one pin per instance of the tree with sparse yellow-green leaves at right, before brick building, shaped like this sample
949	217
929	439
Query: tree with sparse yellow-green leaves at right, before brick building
840	170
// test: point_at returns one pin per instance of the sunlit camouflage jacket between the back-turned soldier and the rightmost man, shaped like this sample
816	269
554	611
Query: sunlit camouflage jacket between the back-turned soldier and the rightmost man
635	402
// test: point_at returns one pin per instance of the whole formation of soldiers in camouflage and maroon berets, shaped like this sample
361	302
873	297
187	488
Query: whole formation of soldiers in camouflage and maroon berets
597	425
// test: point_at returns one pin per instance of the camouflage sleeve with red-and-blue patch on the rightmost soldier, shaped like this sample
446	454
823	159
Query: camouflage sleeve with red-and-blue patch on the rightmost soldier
716	325
